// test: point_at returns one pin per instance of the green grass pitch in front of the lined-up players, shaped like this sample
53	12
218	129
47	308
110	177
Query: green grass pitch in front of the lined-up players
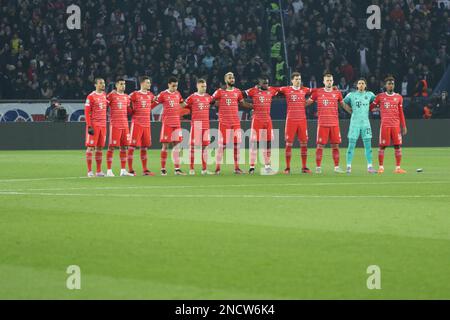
227	237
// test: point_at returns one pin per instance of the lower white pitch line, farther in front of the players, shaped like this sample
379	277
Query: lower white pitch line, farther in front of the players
296	196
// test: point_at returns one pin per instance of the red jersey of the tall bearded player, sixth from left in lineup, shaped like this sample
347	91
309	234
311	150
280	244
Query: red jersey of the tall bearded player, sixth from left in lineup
228	105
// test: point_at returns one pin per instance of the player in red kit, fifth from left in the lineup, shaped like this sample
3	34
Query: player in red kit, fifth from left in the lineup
199	105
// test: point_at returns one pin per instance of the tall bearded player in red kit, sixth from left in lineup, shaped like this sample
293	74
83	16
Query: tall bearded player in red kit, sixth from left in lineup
229	100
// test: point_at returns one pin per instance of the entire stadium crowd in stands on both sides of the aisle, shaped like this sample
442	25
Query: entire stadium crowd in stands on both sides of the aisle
41	58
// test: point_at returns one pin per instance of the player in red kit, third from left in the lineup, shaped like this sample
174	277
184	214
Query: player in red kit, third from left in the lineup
140	109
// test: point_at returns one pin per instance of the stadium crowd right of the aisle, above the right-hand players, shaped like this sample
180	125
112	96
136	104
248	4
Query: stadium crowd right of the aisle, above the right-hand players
333	35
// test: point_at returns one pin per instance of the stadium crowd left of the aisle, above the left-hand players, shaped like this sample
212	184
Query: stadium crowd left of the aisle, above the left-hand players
41	58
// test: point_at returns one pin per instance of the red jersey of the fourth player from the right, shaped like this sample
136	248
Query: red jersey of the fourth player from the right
296	102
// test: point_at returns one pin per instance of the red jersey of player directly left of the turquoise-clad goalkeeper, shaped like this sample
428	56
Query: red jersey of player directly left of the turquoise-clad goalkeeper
327	106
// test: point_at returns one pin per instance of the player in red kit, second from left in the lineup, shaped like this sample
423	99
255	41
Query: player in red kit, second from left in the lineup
119	135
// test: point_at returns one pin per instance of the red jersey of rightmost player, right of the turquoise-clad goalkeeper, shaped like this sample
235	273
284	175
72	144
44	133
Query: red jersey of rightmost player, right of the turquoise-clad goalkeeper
391	110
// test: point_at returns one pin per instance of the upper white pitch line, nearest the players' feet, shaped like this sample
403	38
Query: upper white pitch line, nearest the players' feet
314	184
